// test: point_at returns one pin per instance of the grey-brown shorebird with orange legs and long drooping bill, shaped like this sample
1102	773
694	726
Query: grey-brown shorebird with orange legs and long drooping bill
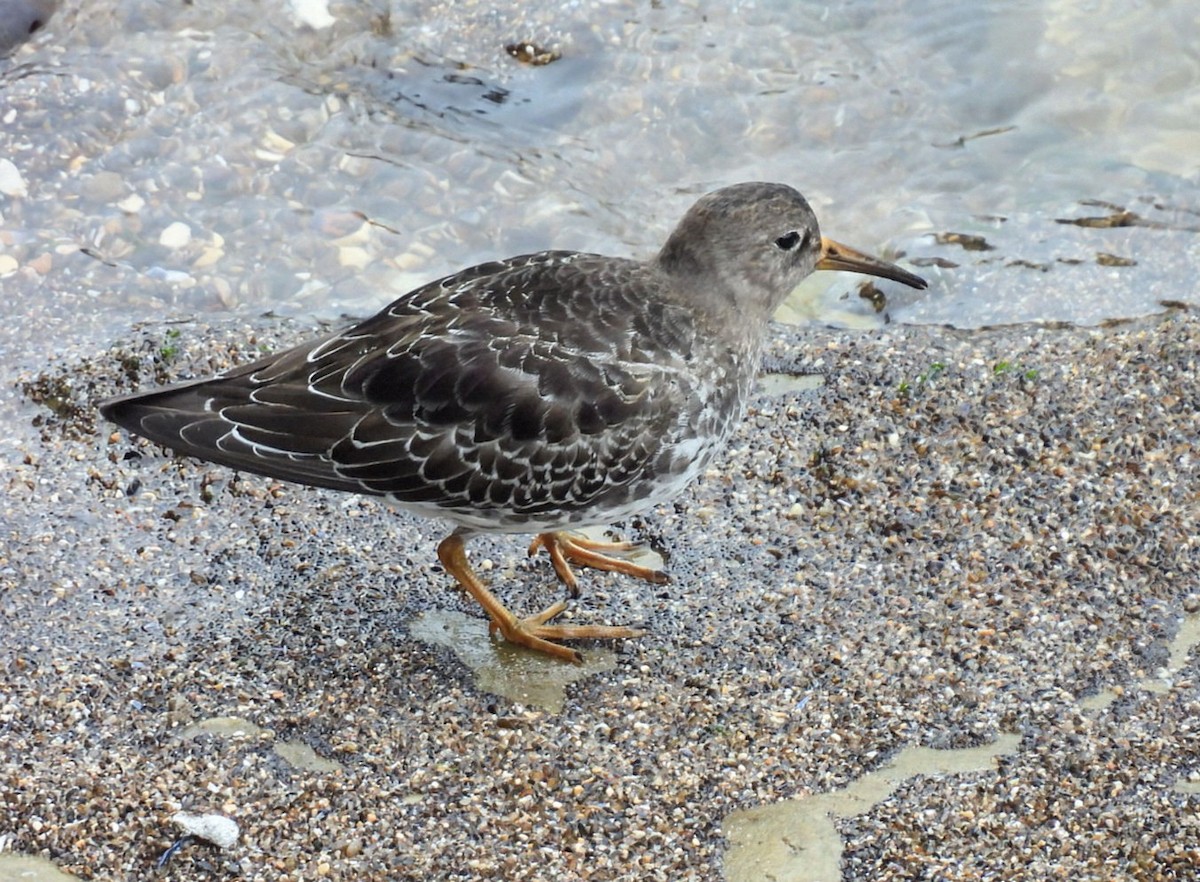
541	394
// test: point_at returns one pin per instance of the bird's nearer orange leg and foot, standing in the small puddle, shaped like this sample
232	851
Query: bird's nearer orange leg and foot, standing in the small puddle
531	632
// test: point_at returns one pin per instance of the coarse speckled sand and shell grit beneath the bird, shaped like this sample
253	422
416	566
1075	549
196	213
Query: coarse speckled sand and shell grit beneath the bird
952	541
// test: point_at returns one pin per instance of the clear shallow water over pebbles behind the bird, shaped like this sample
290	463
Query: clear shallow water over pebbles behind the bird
172	160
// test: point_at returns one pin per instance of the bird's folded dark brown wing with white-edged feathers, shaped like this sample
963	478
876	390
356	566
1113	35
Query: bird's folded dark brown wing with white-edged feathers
520	386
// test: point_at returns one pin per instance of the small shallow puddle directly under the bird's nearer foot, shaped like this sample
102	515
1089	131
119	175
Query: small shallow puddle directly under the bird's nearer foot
503	669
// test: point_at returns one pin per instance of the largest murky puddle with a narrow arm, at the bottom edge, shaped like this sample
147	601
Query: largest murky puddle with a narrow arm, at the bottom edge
797	839
